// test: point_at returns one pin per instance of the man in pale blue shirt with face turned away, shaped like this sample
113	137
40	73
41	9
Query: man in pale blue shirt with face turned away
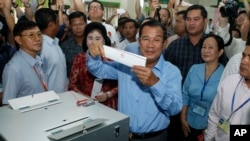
48	23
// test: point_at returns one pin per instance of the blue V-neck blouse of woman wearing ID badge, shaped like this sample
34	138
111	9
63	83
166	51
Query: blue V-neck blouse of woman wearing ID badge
191	93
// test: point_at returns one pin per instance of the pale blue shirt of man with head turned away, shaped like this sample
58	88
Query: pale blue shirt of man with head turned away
56	64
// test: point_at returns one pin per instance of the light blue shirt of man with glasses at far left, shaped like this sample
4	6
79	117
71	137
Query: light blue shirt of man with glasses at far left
20	78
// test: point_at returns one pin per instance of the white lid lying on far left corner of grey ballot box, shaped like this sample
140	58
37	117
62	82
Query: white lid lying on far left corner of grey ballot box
34	101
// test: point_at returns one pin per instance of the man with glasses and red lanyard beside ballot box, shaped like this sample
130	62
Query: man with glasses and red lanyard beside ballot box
25	72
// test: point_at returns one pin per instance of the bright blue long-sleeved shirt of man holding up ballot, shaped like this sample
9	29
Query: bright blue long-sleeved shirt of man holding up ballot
149	108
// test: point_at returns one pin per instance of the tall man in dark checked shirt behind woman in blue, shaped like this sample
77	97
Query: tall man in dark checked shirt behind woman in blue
186	51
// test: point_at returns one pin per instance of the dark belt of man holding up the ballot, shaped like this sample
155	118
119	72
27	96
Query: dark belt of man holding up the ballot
145	135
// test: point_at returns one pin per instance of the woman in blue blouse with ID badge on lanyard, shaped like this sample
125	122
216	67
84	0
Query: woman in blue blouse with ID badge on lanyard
199	88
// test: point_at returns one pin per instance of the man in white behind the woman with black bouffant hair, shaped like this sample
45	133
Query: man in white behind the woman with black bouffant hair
95	14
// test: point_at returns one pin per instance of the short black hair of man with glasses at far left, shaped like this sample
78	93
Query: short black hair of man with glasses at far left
23	25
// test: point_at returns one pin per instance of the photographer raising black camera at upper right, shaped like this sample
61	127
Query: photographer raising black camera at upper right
228	14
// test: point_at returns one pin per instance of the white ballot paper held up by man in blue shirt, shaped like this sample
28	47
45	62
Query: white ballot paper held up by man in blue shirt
124	57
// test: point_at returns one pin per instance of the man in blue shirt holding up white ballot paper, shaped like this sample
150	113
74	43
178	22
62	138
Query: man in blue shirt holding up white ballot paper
149	93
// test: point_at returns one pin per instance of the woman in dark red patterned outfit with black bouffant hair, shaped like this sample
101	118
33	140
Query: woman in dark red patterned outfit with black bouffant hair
81	79
